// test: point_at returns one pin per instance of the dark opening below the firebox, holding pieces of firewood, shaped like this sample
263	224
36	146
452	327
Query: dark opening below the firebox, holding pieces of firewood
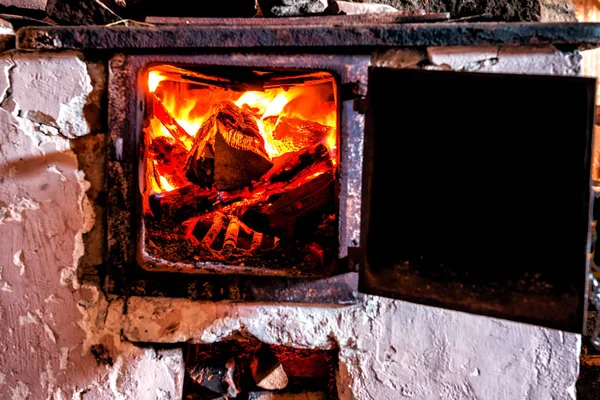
248	369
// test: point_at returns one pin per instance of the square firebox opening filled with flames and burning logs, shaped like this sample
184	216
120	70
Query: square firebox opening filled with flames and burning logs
240	170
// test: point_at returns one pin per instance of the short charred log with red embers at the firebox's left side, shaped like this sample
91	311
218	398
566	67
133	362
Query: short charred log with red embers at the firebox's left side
181	204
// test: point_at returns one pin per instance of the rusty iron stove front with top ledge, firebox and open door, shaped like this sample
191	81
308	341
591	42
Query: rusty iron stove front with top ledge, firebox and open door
465	197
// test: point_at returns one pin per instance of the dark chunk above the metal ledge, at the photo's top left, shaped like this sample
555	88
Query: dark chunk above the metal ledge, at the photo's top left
81	12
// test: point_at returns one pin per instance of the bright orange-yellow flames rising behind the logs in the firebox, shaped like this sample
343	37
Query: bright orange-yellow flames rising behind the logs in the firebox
190	107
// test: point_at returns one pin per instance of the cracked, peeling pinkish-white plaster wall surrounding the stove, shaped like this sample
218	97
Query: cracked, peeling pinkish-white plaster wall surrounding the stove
51	321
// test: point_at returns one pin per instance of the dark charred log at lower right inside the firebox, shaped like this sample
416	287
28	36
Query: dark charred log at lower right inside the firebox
293	212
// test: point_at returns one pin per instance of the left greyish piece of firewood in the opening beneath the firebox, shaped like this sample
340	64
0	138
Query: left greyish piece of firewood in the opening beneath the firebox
216	376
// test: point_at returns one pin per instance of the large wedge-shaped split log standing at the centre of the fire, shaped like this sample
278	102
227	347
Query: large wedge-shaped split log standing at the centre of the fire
228	151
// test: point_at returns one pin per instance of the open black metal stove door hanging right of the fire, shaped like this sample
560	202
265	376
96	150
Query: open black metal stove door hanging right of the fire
476	193
